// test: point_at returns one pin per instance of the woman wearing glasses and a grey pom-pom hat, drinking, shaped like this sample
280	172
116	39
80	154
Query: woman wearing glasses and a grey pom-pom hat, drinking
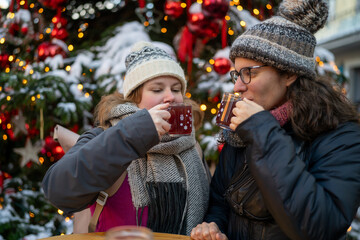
290	169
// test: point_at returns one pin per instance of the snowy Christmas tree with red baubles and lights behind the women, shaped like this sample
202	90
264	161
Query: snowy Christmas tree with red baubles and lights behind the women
59	57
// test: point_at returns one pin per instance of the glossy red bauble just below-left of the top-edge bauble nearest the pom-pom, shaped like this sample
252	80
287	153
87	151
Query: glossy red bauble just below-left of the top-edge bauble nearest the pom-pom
201	26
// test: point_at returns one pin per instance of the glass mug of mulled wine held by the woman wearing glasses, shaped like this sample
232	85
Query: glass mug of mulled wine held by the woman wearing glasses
224	115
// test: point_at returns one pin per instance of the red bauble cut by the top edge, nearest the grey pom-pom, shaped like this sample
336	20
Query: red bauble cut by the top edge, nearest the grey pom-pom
215	8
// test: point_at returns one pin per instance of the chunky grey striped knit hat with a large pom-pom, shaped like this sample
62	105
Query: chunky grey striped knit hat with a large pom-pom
285	41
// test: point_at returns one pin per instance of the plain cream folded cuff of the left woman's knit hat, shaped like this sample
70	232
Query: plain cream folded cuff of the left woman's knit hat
151	69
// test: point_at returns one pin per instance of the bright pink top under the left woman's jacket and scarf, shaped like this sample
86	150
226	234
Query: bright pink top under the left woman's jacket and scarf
119	210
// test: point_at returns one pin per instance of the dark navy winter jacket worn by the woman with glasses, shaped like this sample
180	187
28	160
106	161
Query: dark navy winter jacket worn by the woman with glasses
280	188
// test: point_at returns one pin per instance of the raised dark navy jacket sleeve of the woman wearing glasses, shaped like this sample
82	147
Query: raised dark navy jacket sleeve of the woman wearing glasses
312	198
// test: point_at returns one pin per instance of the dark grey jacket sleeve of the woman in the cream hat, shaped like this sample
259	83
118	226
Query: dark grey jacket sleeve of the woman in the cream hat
97	160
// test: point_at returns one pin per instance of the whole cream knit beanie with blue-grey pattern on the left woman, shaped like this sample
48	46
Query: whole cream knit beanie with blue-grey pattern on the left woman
146	62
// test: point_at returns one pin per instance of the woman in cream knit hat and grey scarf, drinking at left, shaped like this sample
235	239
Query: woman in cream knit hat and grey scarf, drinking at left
166	183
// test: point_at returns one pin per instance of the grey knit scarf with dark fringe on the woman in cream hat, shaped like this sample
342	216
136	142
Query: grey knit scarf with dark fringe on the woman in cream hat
173	160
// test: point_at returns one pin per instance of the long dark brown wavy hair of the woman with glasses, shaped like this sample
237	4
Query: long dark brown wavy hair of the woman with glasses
318	107
